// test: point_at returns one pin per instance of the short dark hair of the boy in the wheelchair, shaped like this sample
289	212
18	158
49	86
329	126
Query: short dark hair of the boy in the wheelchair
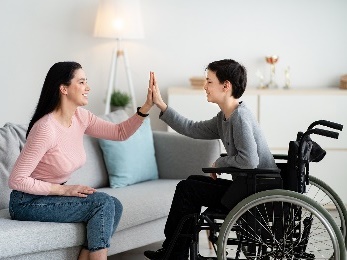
232	71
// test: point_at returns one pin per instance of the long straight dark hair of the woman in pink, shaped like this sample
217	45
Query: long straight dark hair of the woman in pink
59	74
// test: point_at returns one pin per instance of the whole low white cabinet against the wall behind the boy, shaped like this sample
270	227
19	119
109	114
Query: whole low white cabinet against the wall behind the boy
281	114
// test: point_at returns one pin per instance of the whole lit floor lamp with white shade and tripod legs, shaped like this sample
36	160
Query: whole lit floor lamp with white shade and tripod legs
120	20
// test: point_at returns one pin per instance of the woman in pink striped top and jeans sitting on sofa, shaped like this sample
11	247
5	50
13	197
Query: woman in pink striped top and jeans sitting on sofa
54	150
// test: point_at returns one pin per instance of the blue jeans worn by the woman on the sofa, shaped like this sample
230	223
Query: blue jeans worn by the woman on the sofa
99	211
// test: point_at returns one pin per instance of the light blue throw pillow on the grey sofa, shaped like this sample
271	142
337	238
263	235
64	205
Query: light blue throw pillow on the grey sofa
131	161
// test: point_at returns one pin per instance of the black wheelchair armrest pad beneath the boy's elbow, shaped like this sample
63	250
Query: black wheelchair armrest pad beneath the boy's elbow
240	172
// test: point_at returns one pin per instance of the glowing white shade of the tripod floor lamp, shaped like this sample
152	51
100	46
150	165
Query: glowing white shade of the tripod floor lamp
119	19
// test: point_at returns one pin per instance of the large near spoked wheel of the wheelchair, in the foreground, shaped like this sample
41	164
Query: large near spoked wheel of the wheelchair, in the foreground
279	224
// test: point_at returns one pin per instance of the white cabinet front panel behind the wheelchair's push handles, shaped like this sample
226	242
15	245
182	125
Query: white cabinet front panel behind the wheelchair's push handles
282	114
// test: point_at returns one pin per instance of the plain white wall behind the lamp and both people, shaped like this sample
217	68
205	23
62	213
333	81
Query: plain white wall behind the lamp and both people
181	38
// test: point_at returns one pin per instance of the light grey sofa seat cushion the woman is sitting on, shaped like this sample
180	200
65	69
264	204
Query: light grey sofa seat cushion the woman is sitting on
142	203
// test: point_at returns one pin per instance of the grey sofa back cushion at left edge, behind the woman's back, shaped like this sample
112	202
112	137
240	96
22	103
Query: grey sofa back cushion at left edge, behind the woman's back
12	139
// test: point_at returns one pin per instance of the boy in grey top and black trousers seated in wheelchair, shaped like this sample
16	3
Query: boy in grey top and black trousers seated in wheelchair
243	140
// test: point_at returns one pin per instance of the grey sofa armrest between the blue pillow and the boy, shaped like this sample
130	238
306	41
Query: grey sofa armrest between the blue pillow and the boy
179	156
